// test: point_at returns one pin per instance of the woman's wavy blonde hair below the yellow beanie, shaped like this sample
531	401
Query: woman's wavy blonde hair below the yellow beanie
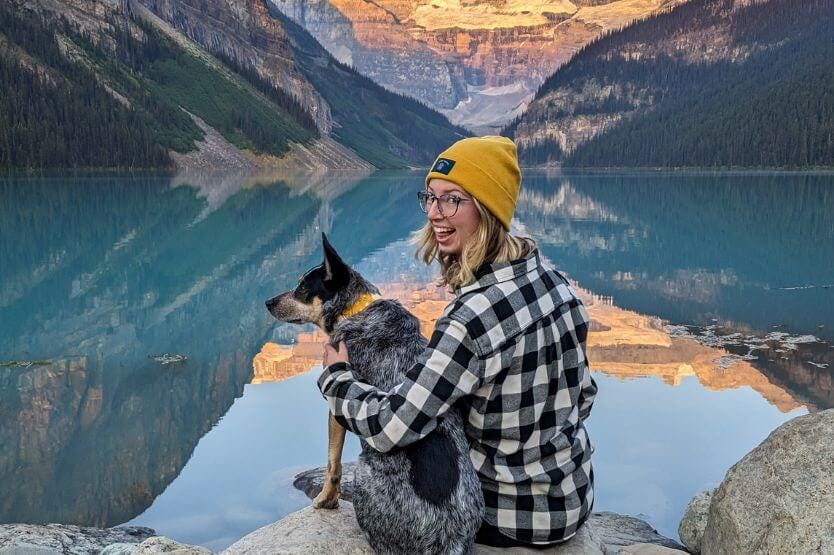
489	244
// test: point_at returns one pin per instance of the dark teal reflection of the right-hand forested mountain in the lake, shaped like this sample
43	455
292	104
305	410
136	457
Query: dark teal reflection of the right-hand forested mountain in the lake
703	250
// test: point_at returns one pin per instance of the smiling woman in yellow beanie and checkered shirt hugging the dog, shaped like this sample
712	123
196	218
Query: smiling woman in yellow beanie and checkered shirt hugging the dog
508	352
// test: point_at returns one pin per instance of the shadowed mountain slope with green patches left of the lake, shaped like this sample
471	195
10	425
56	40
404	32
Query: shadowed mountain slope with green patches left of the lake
192	83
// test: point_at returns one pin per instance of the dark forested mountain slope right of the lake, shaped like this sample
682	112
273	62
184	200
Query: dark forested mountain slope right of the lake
712	83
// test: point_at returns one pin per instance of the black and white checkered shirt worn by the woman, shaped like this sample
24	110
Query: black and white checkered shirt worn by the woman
509	351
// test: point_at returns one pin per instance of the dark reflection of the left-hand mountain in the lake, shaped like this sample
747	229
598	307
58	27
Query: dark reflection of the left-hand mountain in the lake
101	273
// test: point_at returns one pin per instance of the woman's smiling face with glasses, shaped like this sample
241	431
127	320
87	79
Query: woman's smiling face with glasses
452	233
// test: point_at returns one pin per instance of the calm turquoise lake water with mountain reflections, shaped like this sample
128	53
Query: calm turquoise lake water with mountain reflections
711	296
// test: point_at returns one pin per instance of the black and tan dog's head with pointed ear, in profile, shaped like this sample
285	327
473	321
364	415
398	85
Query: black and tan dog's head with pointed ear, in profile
323	294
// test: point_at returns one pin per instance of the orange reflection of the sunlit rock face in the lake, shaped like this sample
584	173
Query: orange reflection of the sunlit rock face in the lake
621	343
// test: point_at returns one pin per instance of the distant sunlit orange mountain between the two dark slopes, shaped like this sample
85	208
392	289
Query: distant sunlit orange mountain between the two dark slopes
479	62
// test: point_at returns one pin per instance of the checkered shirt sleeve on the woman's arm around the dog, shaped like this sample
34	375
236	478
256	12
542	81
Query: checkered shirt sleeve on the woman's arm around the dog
447	370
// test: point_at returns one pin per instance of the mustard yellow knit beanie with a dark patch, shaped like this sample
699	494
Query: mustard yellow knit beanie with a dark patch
487	169
